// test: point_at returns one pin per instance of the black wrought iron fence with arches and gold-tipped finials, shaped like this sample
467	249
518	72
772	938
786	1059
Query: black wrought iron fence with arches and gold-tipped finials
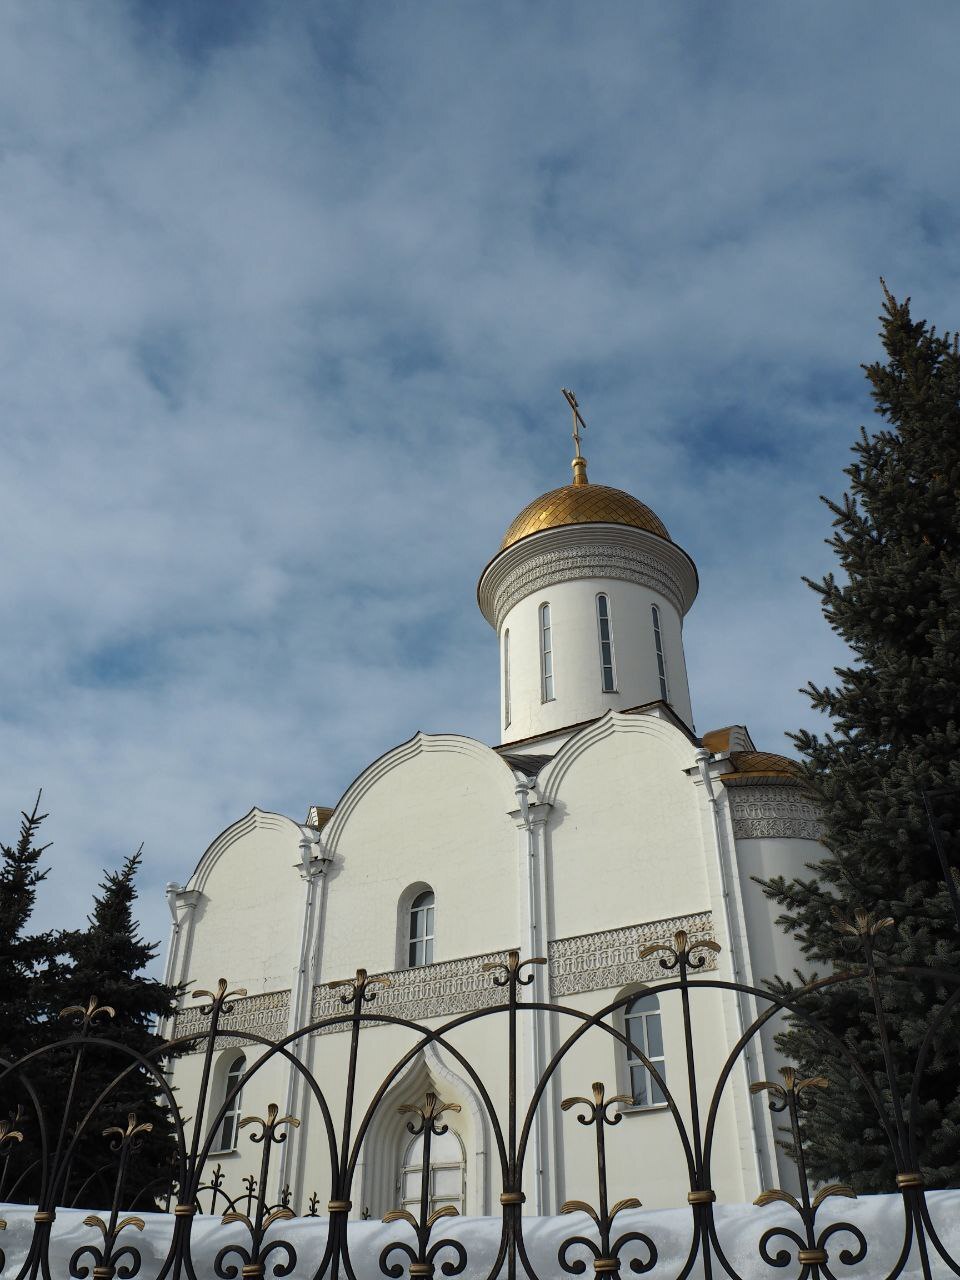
607	1237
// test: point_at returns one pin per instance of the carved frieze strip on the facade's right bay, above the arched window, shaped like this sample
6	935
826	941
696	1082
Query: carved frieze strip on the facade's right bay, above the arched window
598	962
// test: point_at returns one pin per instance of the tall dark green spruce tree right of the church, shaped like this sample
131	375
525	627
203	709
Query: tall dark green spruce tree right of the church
895	735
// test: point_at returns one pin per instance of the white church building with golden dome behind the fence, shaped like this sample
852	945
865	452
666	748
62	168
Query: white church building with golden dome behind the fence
598	826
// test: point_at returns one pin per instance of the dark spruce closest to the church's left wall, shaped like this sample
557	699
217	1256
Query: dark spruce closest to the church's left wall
109	958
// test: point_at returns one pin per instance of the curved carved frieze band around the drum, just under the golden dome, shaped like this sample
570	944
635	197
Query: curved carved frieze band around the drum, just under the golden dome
566	564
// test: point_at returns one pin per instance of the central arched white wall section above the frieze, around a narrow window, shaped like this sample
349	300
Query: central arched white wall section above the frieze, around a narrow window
433	813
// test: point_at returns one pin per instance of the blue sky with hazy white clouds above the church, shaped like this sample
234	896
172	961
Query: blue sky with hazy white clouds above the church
287	296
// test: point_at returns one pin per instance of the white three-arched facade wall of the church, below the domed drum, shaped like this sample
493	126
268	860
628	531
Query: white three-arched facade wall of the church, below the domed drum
615	851
